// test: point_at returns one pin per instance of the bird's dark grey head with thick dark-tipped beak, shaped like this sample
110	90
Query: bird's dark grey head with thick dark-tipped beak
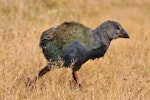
114	30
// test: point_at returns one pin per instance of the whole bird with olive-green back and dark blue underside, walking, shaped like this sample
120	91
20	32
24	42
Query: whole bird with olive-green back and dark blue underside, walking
74	41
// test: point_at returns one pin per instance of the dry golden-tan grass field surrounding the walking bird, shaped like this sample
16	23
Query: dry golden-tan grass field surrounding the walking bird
123	74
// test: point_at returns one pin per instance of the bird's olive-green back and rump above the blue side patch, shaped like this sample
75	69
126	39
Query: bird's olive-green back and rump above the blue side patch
58	40
